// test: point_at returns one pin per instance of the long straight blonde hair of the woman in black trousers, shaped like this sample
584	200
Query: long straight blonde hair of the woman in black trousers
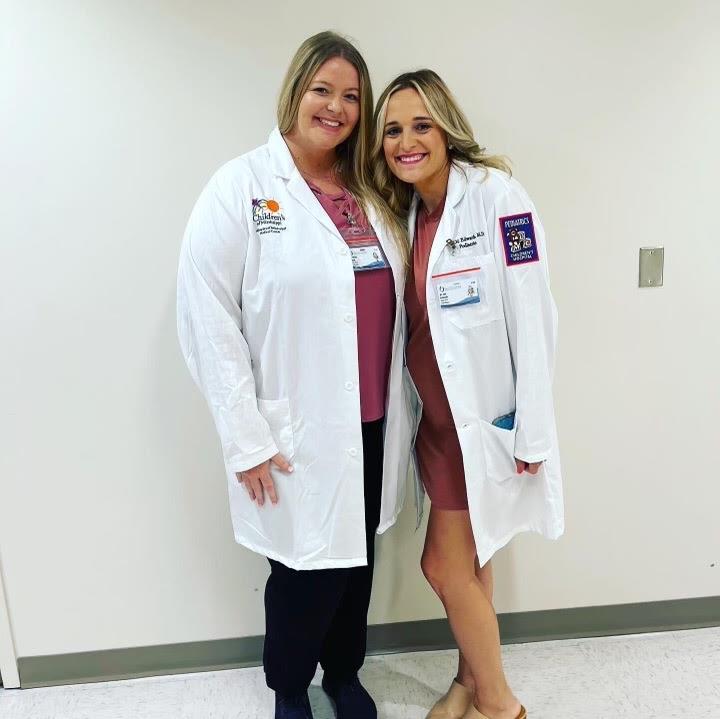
353	165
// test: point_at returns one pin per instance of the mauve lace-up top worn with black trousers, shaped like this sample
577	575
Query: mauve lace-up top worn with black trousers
374	309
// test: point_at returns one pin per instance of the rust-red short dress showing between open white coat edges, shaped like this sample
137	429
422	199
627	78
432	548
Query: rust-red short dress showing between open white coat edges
437	445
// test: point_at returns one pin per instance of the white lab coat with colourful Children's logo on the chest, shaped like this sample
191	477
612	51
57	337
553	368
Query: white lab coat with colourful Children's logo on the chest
266	320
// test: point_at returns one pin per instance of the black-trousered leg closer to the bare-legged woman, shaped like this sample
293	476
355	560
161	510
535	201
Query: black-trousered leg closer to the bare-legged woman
343	651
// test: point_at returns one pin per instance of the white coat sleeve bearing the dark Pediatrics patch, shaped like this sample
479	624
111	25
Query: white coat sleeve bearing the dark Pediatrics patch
531	321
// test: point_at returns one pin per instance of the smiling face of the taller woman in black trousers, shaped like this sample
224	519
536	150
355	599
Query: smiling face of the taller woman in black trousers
330	108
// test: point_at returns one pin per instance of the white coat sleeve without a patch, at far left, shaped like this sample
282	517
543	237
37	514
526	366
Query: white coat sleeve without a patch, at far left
209	314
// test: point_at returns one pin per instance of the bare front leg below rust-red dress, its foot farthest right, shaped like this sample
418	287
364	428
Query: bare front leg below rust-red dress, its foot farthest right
449	564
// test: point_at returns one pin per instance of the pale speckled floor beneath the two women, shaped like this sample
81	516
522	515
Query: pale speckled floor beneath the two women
674	675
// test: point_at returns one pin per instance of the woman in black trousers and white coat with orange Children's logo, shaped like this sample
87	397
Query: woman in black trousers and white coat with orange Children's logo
288	322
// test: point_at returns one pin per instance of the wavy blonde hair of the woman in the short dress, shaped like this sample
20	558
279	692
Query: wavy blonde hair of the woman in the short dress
445	111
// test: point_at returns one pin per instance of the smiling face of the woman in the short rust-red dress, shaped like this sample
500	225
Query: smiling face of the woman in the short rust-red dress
415	147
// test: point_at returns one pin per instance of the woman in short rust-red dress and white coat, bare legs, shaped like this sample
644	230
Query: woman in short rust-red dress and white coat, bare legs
480	354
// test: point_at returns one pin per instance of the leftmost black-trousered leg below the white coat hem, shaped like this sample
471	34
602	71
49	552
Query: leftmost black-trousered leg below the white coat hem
299	606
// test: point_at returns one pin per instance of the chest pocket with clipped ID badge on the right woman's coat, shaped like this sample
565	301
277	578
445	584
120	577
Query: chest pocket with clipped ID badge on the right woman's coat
468	290
